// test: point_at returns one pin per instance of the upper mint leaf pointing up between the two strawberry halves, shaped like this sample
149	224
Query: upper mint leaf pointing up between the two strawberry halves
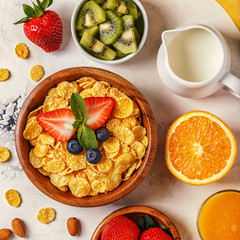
78	106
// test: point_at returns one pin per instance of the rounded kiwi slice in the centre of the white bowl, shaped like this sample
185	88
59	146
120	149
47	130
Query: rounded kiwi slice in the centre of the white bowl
111	29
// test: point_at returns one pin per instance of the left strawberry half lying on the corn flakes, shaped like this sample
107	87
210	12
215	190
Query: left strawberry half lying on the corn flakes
58	124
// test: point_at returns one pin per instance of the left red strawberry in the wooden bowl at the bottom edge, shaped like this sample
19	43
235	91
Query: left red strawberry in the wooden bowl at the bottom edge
120	228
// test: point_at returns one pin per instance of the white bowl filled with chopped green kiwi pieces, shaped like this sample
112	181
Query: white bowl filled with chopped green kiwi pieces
109	31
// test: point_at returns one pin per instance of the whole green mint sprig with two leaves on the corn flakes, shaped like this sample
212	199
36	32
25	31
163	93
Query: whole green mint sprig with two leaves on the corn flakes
86	135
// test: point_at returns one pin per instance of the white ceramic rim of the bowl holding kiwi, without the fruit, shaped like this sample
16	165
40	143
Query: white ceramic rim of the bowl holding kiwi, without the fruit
121	60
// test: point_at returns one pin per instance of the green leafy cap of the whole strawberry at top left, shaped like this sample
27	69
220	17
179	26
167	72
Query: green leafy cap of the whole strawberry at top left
37	10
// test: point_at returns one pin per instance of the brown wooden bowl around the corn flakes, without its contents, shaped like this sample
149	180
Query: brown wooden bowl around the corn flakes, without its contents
36	98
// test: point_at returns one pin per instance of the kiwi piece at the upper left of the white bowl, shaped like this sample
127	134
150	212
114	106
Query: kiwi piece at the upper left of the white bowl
90	15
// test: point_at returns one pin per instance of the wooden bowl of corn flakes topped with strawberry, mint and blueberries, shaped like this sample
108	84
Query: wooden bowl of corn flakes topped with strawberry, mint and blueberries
49	121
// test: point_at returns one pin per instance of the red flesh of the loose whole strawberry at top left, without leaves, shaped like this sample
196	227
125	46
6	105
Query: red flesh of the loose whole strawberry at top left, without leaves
45	31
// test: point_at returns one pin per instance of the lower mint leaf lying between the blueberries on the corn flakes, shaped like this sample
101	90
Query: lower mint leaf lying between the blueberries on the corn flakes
87	137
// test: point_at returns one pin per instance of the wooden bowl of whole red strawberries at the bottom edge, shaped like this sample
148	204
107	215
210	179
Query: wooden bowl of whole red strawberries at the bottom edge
136	223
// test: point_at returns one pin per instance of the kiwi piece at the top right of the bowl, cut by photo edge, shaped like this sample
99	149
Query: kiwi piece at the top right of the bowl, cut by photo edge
123	7
